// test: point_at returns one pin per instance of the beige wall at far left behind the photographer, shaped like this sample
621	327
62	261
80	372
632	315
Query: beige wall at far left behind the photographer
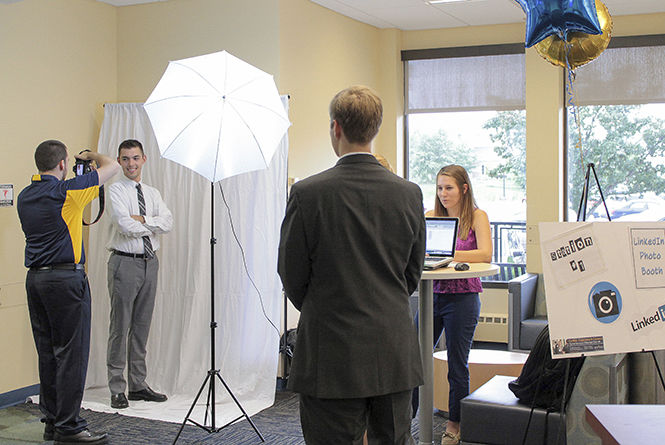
58	67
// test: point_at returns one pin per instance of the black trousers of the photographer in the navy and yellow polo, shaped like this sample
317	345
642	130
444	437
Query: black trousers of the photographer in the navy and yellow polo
59	305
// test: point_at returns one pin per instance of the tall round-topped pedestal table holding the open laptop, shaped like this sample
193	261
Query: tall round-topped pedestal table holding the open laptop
426	331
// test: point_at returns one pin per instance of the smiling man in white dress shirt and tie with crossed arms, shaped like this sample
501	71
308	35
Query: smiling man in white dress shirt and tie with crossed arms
139	216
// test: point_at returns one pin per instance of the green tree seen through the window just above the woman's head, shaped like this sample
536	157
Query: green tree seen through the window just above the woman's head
429	152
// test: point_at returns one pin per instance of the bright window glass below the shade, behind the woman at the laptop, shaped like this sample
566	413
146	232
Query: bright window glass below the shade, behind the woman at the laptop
484	143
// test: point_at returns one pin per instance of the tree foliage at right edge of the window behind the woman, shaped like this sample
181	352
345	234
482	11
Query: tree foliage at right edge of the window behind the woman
508	133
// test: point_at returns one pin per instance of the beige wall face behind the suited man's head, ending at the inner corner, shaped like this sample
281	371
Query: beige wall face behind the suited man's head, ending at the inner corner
322	52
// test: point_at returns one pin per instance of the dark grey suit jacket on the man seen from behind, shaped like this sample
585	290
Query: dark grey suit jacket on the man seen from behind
351	253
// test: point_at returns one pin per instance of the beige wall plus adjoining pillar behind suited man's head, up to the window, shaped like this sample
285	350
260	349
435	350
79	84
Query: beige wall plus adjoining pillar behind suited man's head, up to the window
323	52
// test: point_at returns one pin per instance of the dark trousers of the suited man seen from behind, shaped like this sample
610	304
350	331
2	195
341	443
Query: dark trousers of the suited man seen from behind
386	418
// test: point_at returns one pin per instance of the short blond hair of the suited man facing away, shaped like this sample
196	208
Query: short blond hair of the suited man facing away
359	111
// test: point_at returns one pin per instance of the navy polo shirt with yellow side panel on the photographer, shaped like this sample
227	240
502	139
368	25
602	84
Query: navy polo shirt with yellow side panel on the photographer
51	214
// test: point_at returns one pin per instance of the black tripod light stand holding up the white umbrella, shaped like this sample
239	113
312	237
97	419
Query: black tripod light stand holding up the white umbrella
213	373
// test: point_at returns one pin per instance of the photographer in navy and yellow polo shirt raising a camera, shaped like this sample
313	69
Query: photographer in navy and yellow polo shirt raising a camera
51	214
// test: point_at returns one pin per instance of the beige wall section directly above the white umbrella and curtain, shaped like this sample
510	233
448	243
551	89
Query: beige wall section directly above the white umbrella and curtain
150	35
